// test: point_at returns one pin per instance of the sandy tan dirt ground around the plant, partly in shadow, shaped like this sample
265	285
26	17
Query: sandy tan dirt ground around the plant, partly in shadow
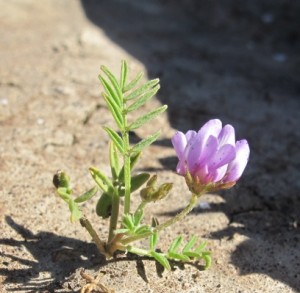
235	60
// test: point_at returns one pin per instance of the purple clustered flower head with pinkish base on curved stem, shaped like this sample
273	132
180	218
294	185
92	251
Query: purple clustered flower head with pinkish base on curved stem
210	159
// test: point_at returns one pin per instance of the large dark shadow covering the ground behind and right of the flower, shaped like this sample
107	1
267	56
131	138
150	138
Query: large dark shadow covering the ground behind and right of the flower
229	60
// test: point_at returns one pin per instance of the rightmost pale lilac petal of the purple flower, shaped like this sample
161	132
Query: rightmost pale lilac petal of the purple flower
238	165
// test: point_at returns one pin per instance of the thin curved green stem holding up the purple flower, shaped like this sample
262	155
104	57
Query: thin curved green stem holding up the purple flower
178	217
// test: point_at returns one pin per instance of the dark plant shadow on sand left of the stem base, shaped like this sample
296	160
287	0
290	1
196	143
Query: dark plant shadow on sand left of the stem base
58	258
